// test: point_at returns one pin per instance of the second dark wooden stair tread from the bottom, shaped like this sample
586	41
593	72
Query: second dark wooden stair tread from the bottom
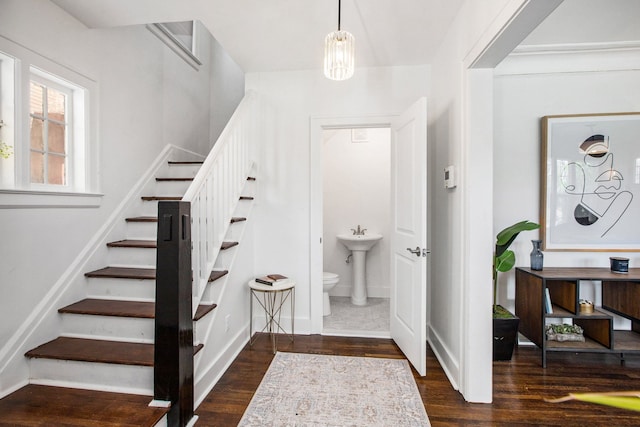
97	351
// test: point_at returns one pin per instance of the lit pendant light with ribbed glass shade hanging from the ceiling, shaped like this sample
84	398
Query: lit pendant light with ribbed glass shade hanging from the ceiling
339	53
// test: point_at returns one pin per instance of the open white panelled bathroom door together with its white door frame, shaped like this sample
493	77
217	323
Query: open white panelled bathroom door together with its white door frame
408	196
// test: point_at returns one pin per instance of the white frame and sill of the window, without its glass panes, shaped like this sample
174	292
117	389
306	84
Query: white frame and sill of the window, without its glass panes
83	175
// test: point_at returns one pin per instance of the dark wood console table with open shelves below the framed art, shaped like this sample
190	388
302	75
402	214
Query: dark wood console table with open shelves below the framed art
620	295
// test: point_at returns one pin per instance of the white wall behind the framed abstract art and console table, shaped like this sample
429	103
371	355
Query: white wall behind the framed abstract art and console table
526	88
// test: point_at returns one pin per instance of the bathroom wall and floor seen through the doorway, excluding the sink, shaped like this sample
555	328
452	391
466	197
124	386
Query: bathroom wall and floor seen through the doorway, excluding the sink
356	192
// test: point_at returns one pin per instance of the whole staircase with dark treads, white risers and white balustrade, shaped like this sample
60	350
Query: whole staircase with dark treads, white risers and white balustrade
105	348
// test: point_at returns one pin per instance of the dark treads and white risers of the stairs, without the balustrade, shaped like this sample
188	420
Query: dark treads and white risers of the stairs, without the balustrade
107	339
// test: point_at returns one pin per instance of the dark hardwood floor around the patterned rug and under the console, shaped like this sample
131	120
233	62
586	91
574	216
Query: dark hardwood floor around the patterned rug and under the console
520	385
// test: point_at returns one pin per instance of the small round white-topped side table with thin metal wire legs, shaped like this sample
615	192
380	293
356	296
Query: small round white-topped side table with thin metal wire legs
272	298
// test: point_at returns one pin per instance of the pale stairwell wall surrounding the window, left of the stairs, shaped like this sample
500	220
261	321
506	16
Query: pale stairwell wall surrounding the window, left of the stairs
147	97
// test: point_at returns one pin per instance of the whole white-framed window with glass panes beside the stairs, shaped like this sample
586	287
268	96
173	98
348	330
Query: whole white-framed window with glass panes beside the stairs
47	132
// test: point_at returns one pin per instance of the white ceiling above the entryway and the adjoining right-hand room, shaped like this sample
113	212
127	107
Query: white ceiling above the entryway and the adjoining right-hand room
275	35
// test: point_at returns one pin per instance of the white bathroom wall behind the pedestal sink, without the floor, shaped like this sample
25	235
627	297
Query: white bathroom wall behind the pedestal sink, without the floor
356	178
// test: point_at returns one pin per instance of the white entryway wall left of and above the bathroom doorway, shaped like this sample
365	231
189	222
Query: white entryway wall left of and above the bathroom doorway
283	234
